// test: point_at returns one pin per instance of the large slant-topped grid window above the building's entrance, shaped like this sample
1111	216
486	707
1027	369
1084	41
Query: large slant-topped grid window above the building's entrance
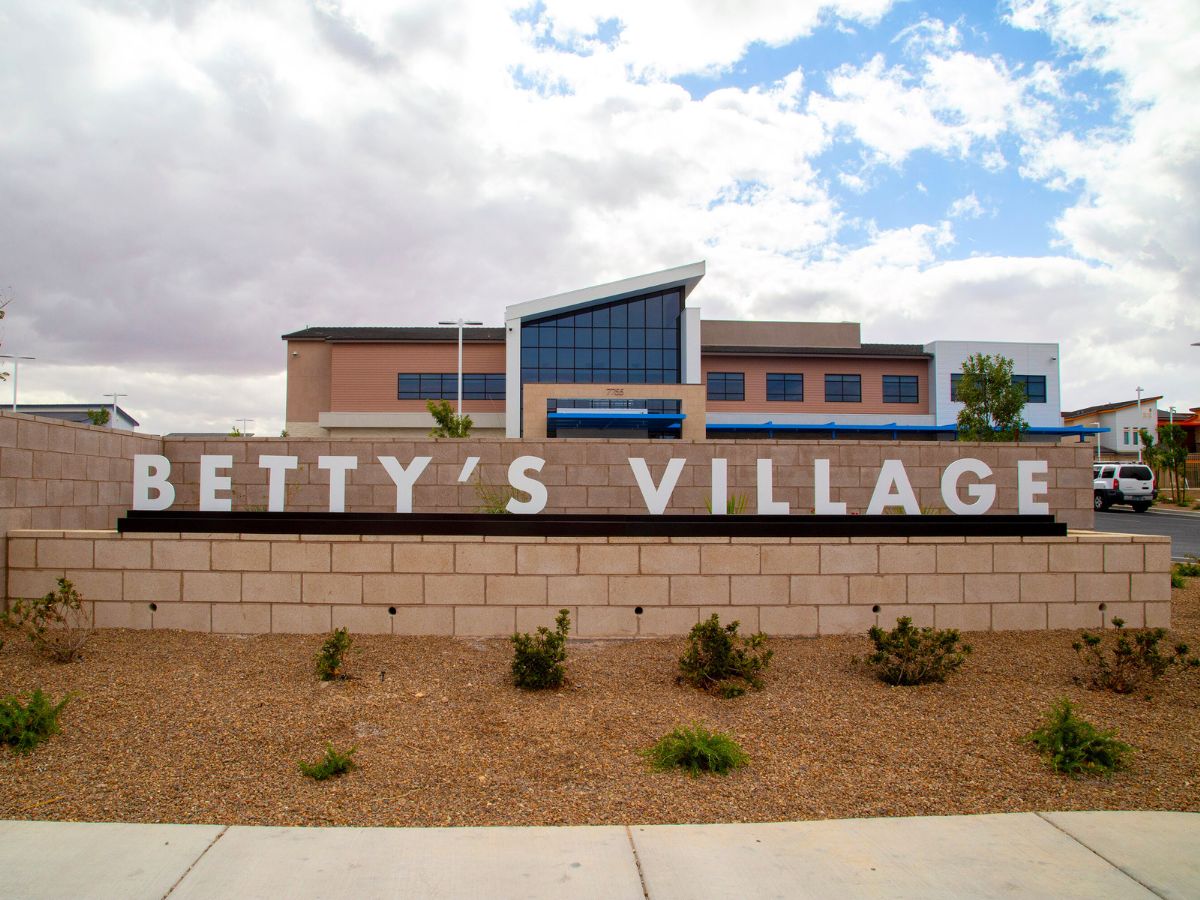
631	341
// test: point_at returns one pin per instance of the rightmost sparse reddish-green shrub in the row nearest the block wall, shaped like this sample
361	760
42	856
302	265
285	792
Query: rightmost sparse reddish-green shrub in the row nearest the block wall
1125	662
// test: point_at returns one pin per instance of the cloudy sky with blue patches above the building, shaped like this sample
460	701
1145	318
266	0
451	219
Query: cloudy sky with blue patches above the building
184	182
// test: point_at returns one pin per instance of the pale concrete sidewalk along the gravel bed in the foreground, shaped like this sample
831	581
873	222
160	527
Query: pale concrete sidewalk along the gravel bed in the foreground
1052	855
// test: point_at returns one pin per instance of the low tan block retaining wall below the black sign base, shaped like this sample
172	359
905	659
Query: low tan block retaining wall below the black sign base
615	587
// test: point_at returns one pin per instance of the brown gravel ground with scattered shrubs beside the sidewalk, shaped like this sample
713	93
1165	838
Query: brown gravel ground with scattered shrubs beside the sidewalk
188	728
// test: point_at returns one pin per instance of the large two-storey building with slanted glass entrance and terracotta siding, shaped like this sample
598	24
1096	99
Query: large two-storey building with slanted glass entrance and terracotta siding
634	358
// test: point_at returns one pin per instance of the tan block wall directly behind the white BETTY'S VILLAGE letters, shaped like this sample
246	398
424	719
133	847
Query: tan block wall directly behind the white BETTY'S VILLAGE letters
596	477
